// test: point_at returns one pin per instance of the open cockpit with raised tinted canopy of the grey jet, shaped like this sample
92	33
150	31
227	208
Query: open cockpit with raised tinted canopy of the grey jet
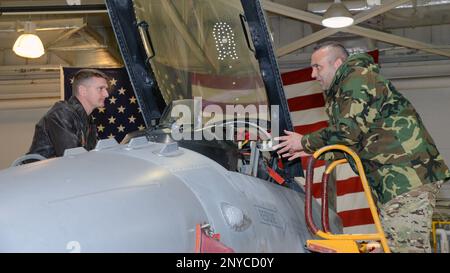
206	78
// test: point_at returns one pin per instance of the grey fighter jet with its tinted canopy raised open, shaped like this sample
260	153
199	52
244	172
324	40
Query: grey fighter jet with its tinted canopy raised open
202	176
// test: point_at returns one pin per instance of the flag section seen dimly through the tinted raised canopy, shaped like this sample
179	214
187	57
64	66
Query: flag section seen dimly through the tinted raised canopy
222	90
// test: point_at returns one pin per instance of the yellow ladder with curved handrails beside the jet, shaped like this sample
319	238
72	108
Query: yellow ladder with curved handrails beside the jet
340	243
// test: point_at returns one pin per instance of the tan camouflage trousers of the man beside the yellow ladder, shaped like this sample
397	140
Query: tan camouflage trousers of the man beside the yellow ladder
407	219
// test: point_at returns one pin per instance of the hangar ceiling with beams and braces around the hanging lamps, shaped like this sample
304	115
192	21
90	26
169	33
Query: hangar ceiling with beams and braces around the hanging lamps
78	32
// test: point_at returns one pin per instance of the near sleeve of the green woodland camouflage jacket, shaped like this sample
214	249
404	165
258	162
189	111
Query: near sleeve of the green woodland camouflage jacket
351	108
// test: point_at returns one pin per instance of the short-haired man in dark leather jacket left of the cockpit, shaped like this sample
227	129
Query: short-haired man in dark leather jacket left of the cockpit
69	124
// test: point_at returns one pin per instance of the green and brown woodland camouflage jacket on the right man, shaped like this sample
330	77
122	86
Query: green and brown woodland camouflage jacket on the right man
367	114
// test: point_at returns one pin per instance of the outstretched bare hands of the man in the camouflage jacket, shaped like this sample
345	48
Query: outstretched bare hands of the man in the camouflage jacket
291	145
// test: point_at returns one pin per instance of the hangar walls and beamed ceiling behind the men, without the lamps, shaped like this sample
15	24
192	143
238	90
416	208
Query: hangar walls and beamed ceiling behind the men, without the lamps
412	38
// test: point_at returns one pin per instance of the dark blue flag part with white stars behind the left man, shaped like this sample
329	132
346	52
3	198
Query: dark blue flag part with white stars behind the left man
121	114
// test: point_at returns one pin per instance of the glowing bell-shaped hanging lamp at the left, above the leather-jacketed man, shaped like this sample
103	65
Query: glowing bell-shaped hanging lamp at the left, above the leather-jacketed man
29	45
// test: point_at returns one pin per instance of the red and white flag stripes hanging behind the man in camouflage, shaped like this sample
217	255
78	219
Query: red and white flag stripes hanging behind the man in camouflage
307	107
